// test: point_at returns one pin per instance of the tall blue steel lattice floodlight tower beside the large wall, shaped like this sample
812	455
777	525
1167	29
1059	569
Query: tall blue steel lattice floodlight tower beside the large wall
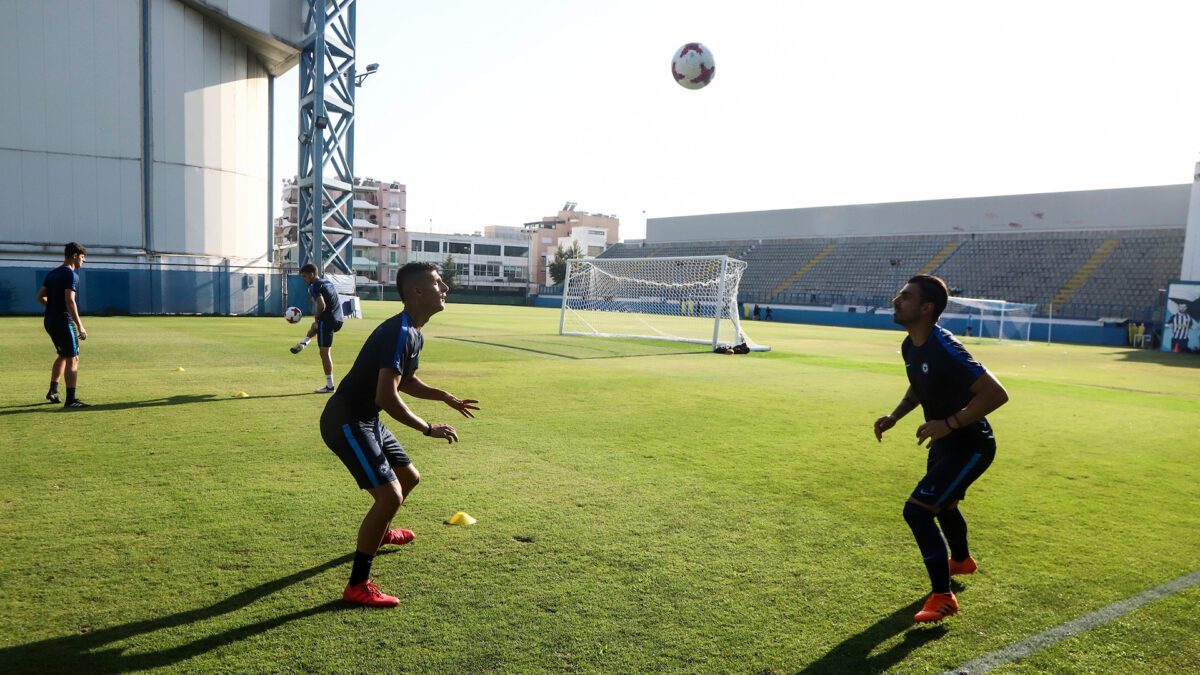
327	135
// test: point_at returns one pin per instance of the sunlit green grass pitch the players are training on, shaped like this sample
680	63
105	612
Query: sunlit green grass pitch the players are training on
643	506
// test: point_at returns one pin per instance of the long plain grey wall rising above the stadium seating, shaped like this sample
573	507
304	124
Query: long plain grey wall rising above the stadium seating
1091	210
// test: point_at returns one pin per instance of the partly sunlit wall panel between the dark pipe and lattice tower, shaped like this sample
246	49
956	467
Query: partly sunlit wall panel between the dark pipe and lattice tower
209	105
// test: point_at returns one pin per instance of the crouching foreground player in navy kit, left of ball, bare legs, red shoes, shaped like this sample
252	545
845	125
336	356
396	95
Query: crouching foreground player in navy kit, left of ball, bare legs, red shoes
351	427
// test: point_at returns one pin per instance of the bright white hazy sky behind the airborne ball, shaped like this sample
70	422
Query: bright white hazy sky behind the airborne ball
497	114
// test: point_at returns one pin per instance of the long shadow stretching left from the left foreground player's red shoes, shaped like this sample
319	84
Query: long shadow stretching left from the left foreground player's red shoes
86	653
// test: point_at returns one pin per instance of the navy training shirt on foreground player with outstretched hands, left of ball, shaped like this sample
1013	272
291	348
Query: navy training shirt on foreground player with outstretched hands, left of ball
394	344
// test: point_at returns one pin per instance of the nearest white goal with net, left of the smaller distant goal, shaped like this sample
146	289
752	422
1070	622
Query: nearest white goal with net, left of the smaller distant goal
685	300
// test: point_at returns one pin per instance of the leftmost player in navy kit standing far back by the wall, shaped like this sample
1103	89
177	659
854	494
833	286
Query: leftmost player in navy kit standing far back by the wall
63	322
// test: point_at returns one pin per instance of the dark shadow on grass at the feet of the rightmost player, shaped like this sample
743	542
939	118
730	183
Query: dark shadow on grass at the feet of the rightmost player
855	654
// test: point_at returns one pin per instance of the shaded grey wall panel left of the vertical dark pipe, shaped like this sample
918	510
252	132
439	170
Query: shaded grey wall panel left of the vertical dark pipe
71	139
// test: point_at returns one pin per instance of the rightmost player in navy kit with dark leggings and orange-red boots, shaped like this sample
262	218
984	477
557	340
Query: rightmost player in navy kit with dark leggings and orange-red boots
956	393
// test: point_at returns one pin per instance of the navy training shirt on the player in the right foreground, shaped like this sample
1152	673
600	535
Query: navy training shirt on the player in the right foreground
941	373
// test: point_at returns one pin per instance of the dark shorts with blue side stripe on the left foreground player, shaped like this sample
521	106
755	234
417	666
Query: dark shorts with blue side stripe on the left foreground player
367	449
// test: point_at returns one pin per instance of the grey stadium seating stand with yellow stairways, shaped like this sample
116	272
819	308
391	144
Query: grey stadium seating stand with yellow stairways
1073	274
